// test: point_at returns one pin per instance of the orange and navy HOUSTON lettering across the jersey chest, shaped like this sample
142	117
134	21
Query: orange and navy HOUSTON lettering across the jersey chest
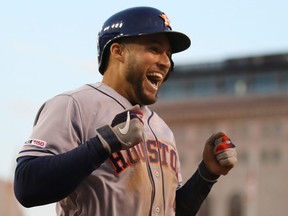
153	152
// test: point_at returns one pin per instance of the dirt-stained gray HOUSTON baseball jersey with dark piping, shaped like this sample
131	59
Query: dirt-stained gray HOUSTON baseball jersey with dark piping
138	181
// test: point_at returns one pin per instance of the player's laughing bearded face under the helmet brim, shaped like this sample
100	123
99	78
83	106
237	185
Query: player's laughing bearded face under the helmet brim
147	62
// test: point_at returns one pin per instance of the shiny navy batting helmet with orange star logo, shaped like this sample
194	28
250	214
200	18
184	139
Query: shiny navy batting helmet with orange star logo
137	21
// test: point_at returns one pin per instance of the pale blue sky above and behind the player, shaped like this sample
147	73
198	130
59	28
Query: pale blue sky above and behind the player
47	47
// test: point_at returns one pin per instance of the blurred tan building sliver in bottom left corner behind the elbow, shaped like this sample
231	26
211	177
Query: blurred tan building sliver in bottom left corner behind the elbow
8	204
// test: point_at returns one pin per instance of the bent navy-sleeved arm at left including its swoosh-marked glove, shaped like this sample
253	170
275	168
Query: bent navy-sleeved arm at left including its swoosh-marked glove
47	179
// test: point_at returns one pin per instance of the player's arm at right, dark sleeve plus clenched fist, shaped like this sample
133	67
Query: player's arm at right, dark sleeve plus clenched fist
219	157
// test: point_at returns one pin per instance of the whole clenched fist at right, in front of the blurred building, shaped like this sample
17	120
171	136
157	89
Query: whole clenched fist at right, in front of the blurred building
219	154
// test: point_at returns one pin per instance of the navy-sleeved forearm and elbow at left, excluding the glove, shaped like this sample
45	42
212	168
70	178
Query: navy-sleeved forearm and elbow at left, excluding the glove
47	179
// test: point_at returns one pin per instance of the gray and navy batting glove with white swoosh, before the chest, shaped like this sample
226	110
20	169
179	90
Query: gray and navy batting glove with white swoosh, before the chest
126	130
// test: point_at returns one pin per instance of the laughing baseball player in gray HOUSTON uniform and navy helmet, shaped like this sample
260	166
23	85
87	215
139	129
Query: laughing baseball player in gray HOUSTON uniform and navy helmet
100	150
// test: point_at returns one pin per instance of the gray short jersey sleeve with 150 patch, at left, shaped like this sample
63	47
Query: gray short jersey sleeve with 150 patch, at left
57	128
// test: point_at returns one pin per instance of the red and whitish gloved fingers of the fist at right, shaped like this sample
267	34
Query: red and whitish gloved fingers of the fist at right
225	151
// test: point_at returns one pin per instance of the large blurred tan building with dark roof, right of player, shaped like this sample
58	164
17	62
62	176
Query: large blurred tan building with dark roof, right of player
248	99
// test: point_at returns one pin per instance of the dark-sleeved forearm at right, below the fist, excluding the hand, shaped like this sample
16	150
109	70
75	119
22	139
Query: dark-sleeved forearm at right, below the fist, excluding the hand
191	195
